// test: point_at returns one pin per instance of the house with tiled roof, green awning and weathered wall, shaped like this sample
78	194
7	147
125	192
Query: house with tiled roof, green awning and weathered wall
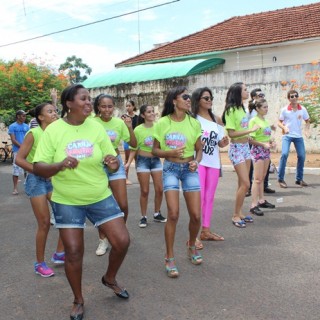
272	50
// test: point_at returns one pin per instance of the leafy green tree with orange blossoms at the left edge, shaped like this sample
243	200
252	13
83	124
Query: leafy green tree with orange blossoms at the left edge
24	85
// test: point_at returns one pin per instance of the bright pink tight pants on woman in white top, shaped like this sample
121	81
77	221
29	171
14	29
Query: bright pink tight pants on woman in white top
209	178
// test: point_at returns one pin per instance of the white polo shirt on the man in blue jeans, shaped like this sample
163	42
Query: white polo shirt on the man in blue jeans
293	119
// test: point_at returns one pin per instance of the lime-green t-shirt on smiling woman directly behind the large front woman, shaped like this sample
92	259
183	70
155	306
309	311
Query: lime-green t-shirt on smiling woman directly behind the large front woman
116	130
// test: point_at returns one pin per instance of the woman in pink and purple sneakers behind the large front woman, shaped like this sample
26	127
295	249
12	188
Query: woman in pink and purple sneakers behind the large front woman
39	189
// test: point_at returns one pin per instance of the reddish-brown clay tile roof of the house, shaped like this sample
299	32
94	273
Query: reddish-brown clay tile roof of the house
263	28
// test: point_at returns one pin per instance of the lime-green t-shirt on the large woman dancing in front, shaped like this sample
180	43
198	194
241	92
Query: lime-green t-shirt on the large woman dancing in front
88	183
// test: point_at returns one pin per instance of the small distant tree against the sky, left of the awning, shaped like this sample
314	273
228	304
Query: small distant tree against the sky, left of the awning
75	68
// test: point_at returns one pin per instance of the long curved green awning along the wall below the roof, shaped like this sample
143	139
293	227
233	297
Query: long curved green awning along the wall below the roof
149	72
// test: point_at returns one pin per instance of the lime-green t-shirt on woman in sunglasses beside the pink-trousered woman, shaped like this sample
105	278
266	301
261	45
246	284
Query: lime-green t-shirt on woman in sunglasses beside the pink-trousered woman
173	135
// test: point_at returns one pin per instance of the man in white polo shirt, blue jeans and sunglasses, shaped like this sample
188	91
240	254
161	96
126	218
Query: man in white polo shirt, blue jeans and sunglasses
290	121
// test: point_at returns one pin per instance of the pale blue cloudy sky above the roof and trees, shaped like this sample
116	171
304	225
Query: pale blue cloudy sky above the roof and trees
104	44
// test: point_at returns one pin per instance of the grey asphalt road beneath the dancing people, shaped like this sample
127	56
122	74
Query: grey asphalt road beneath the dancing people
270	270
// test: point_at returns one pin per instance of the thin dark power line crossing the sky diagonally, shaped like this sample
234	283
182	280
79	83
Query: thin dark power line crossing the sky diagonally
88	24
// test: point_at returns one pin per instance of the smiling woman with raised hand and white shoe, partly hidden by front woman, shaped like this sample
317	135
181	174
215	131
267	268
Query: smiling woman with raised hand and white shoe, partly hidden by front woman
117	129
